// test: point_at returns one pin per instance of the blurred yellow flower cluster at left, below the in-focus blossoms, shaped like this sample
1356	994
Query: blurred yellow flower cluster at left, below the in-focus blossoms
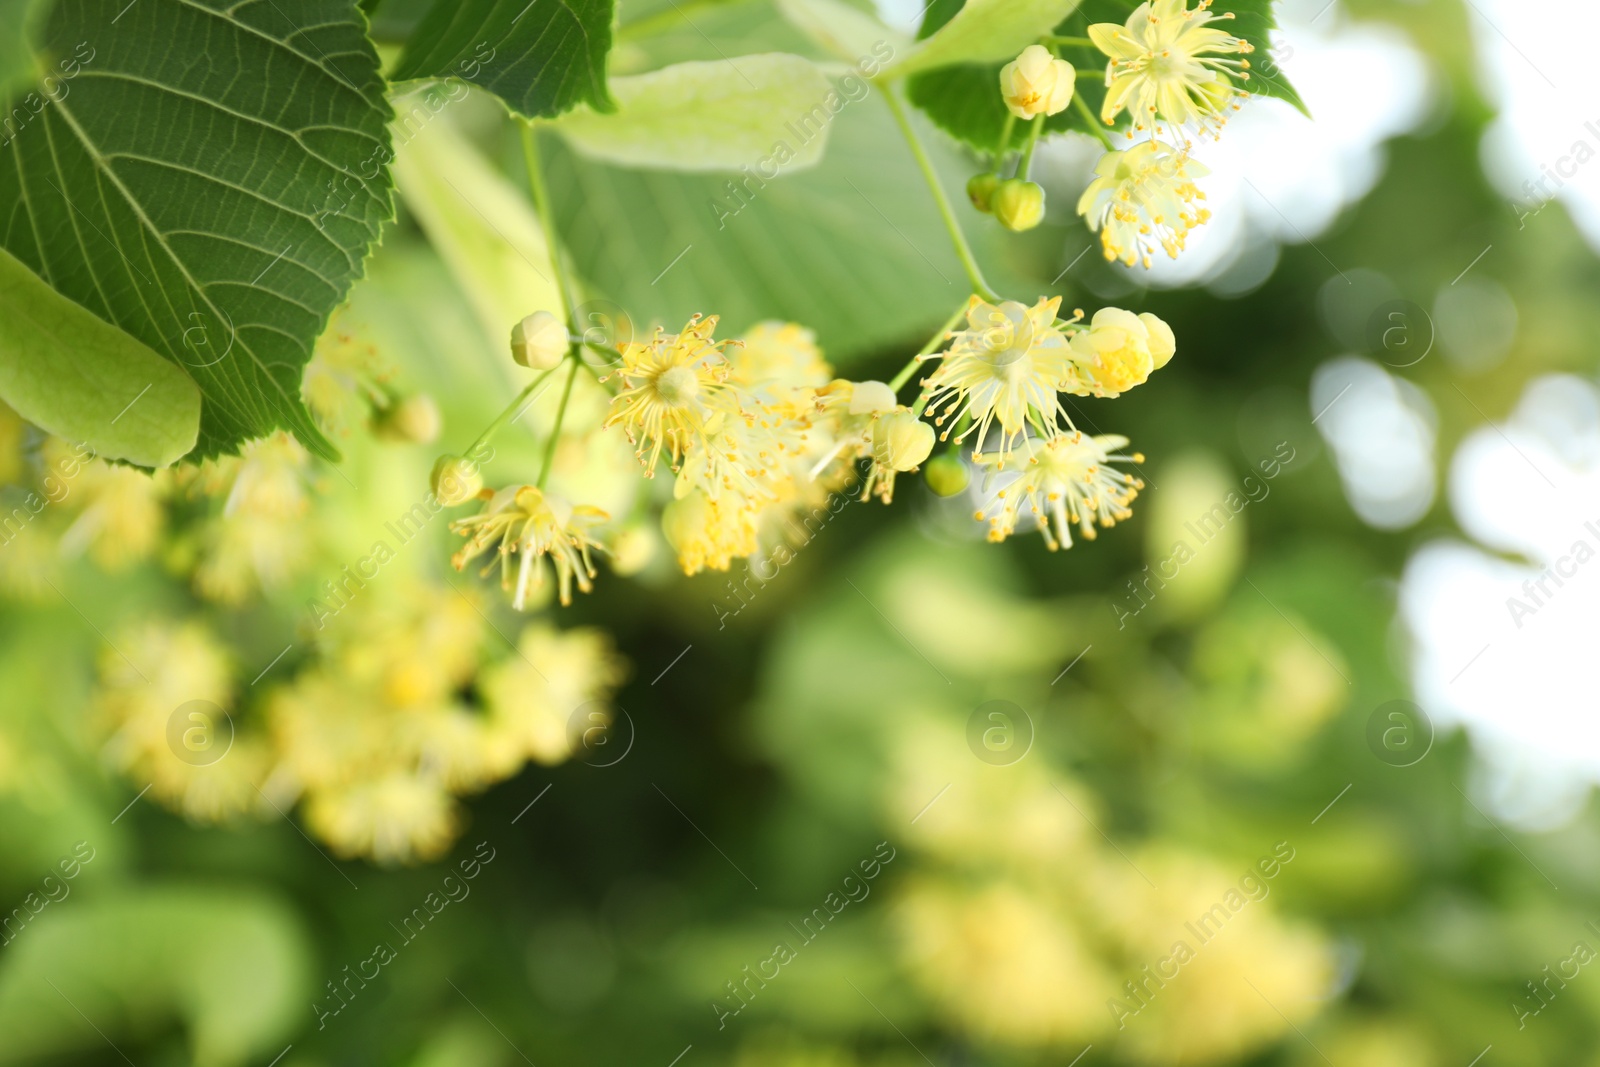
396	716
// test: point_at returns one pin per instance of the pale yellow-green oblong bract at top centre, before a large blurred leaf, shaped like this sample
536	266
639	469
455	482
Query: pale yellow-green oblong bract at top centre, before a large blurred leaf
713	116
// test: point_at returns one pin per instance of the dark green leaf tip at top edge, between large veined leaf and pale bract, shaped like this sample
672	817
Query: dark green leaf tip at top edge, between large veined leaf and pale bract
542	57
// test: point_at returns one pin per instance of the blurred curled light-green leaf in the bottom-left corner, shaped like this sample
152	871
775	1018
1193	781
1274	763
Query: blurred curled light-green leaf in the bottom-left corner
234	967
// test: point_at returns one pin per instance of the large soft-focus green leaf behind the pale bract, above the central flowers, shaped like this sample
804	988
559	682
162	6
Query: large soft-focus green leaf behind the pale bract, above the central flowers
852	249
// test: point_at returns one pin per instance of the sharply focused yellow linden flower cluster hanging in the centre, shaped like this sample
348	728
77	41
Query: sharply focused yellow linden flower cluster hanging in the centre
759	434
